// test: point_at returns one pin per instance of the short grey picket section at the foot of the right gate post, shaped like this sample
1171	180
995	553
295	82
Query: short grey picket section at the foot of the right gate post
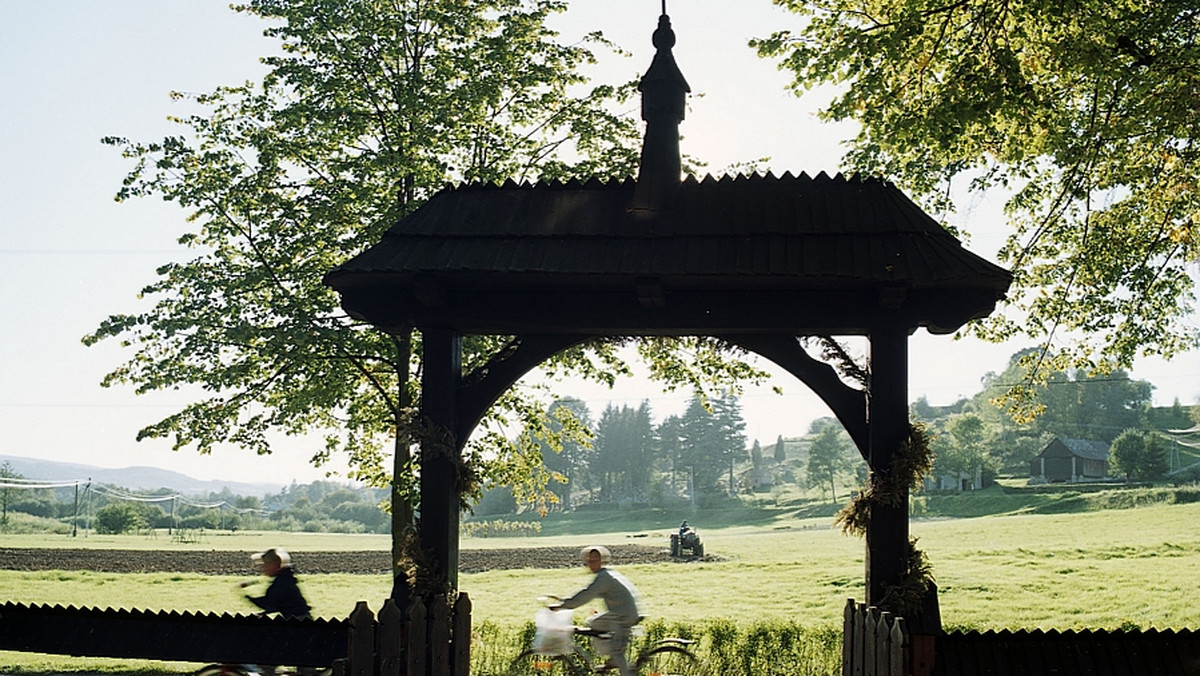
874	643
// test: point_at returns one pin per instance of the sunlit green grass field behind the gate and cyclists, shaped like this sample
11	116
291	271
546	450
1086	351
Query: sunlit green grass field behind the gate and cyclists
1139	566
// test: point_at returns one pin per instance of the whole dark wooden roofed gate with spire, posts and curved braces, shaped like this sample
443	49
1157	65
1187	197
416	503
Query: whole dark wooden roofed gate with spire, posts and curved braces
757	261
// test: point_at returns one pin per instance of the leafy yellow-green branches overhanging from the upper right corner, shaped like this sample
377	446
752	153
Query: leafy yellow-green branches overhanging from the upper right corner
1084	112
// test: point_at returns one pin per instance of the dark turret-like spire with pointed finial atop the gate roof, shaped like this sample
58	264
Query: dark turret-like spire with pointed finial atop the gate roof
664	103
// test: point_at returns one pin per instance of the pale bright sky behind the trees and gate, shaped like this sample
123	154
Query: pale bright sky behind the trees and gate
75	71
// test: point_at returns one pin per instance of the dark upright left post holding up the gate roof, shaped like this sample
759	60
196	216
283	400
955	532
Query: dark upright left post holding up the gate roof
440	472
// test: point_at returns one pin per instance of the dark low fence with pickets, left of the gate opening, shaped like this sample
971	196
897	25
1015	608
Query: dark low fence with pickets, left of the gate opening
430	639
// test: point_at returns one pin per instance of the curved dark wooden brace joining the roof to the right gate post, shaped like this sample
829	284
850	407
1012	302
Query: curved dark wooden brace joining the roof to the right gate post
848	404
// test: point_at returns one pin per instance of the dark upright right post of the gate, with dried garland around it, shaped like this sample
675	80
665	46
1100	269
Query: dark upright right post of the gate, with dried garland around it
887	533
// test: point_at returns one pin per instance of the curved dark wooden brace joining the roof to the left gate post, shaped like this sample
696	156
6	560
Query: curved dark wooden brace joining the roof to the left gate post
485	385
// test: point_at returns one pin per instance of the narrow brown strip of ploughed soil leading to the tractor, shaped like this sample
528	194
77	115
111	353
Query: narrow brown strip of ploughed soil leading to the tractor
307	563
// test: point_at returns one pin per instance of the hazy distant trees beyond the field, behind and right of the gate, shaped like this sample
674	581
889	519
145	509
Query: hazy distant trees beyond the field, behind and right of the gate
703	454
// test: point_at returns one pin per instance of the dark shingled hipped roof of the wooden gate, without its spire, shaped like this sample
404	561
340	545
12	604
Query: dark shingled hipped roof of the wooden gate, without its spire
745	254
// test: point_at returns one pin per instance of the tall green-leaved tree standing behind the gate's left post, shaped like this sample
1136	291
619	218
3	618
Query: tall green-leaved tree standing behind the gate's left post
367	111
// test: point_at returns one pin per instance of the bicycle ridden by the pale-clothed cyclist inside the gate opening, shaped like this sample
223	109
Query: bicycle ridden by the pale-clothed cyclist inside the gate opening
665	657
